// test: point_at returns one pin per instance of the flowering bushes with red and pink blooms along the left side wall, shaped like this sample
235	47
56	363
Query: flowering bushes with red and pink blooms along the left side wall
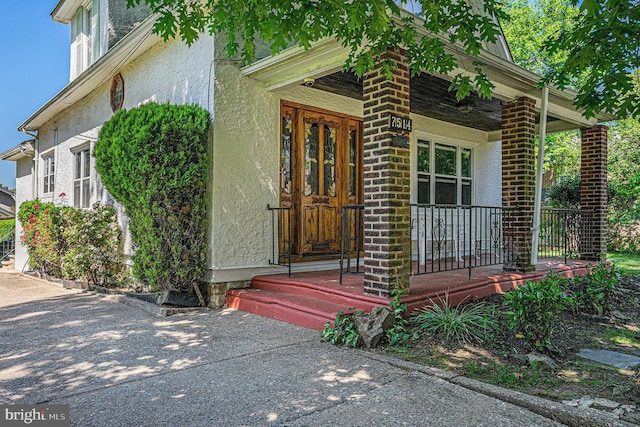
72	243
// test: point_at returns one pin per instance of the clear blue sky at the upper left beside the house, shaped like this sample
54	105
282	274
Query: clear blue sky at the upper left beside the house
34	53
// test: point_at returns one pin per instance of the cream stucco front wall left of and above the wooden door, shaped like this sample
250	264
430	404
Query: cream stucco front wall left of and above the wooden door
246	167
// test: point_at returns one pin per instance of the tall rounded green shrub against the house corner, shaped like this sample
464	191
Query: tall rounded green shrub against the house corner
154	159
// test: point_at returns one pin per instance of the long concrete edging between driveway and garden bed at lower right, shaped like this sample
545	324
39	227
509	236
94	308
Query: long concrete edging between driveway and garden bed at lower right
569	415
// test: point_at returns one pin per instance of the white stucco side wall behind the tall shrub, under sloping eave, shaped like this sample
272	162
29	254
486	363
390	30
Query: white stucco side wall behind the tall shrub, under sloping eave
169	72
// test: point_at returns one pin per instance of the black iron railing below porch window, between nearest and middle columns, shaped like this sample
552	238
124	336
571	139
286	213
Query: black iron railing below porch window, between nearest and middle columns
448	237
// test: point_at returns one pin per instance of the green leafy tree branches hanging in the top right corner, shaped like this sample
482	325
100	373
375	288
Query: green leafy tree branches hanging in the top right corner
602	57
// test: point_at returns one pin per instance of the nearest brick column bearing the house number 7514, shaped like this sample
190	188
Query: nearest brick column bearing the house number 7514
387	212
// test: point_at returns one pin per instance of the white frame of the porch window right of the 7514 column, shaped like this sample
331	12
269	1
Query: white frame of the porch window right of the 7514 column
432	178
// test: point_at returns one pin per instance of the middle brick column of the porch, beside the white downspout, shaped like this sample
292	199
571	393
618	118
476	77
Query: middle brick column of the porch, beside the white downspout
518	181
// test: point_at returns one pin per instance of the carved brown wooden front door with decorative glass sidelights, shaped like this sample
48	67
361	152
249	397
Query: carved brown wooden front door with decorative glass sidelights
321	171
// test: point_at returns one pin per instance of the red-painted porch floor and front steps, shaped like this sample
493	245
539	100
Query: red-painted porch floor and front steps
312	299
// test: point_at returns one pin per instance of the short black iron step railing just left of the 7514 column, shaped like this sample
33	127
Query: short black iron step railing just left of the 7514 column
351	240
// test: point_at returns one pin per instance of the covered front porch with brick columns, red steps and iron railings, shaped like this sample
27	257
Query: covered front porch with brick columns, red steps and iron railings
401	217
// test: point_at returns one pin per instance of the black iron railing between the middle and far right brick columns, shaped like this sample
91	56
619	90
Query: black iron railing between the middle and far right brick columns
565	233
